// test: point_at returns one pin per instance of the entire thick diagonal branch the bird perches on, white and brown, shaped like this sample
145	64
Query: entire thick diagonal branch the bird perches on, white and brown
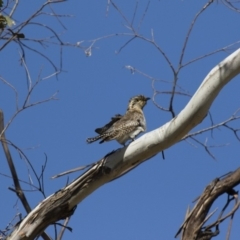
62	203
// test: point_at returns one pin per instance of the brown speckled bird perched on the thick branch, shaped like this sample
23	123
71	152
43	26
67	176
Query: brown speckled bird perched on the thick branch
124	127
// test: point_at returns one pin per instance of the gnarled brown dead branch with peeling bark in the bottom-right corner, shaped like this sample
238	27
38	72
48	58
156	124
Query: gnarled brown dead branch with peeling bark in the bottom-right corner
192	228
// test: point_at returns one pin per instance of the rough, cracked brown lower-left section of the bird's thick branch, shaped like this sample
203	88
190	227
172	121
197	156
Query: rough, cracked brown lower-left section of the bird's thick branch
58	206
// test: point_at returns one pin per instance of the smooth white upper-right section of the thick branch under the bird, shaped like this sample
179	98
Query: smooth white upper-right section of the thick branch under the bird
173	131
